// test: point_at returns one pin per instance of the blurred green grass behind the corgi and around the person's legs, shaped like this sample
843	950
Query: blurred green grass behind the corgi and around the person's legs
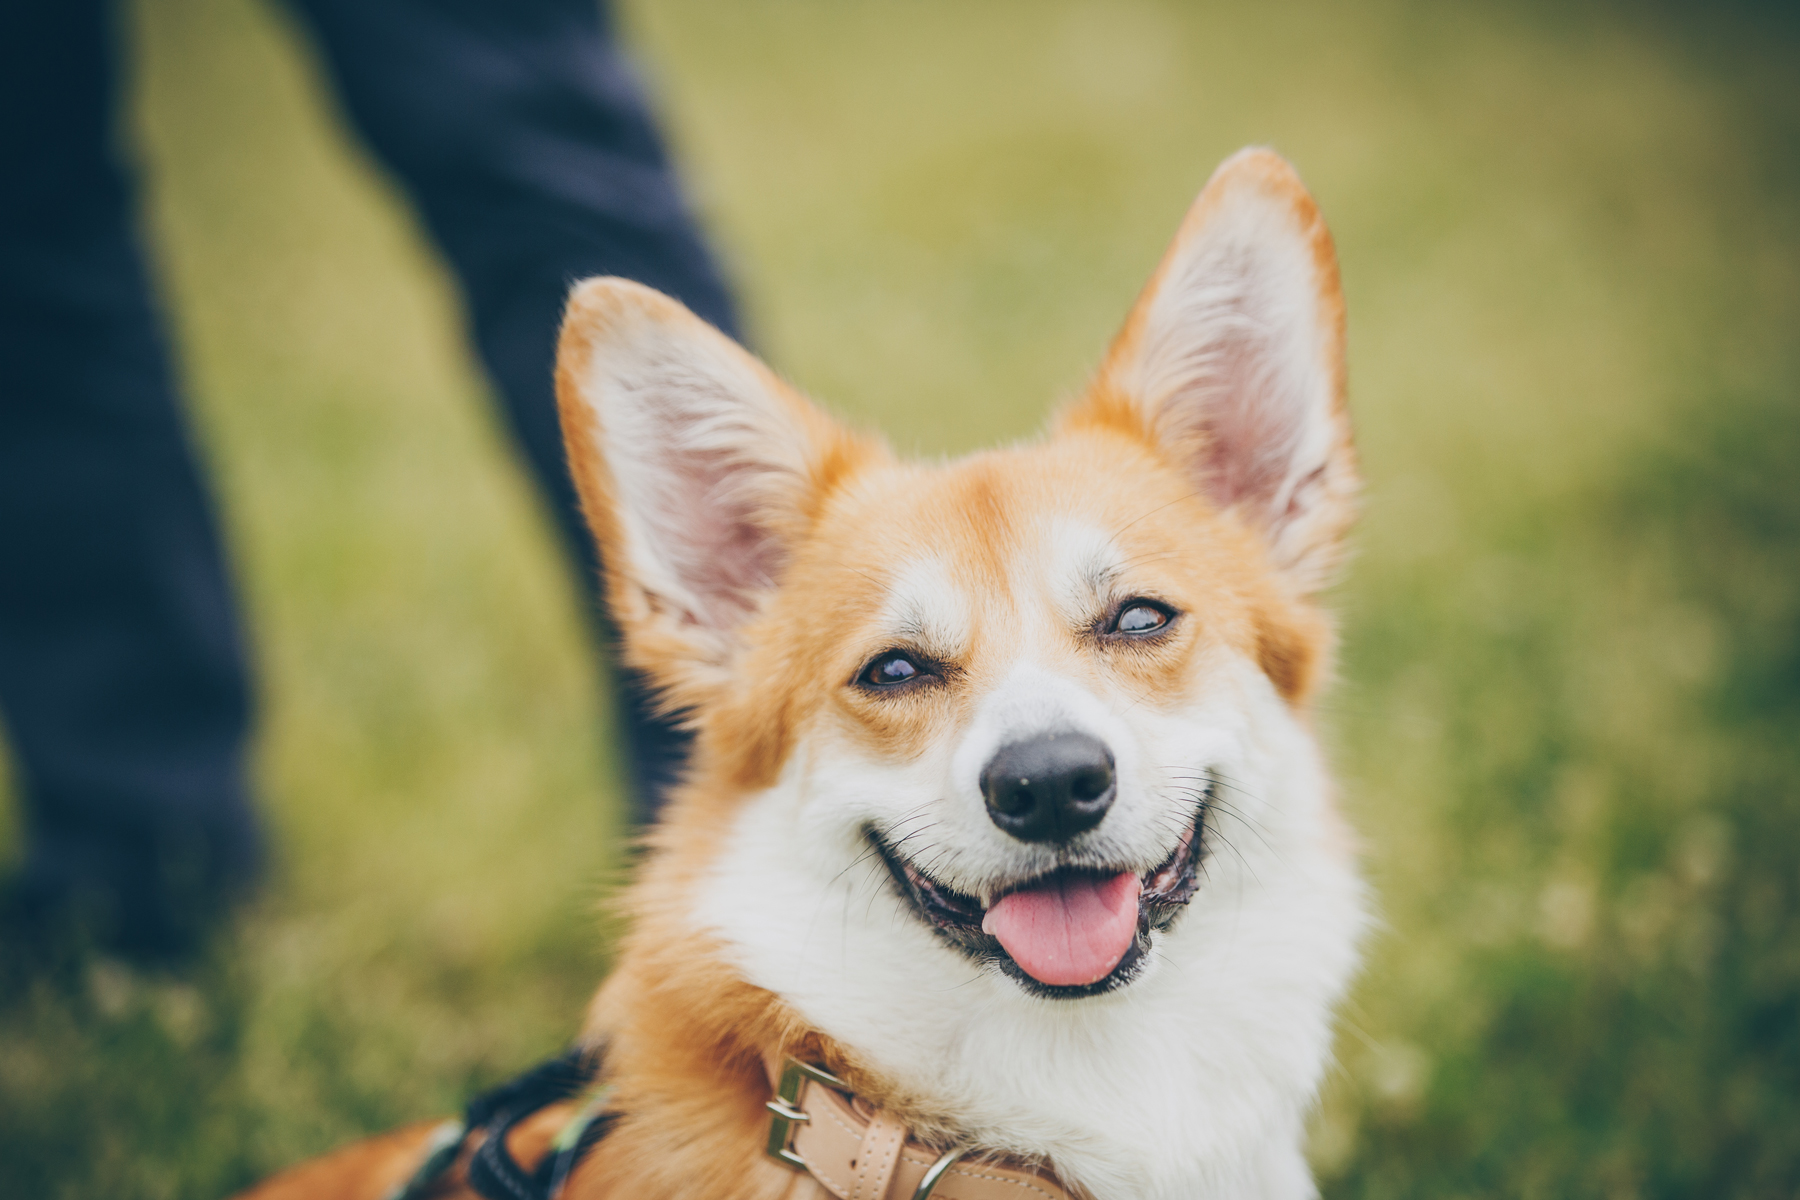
1570	692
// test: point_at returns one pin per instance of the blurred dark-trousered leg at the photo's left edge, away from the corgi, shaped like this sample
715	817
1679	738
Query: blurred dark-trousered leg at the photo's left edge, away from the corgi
121	672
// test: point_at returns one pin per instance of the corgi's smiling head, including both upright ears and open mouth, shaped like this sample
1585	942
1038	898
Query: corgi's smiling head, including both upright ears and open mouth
1016	690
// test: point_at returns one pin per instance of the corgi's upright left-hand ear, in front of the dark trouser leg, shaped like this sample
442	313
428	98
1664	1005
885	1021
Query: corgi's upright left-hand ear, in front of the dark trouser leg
697	472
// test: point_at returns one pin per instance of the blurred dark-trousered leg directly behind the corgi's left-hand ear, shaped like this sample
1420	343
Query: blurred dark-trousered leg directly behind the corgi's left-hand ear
523	136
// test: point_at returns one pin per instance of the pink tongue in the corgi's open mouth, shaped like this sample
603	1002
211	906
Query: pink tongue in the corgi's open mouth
1068	931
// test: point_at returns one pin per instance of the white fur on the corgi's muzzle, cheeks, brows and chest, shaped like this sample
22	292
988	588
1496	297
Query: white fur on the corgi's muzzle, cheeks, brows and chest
1196	1077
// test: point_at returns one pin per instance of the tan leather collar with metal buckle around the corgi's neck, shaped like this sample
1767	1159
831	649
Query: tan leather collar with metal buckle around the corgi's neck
858	1152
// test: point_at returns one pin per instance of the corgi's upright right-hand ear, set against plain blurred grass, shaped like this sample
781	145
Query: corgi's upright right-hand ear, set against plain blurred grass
1232	364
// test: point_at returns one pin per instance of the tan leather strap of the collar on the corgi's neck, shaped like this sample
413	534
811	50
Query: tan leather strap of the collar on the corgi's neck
868	1156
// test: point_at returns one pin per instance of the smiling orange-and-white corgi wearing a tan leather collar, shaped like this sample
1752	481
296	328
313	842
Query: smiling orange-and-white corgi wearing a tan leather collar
1007	863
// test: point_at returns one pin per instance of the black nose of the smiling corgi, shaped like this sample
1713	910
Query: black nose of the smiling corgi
1050	787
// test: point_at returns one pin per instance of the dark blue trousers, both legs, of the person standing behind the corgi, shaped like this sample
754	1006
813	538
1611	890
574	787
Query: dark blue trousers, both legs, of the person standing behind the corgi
123	685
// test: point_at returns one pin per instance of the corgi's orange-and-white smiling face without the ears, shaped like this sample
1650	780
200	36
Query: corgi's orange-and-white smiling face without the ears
1016	681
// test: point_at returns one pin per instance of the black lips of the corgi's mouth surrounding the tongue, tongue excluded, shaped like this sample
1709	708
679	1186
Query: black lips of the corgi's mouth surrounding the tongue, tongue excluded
958	917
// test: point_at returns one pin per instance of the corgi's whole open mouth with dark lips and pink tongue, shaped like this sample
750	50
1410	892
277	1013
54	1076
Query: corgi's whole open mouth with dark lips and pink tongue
1074	933
